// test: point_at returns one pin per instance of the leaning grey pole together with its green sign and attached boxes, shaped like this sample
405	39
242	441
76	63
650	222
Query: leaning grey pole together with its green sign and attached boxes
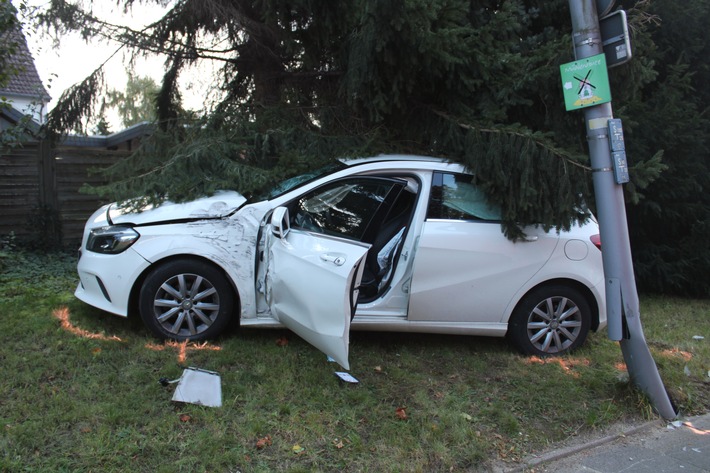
586	87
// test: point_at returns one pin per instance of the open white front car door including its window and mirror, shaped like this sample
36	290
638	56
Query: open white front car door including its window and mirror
316	248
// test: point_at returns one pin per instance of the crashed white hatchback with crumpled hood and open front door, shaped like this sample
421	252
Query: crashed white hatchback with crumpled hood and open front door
391	243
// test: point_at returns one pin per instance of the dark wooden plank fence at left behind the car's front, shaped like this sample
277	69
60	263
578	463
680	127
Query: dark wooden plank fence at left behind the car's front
40	184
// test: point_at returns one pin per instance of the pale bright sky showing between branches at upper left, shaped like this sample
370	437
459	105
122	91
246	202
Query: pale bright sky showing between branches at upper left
74	59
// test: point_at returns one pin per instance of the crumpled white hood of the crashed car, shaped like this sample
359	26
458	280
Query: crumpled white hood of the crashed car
218	205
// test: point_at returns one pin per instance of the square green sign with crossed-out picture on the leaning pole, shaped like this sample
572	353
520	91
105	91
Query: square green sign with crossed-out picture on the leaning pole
585	83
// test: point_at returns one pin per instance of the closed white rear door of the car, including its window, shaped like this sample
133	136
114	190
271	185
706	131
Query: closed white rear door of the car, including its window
465	269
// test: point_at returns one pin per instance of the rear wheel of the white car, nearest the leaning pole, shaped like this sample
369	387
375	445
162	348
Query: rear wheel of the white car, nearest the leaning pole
550	321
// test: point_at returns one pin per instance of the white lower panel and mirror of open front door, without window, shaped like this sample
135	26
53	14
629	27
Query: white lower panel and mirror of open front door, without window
311	284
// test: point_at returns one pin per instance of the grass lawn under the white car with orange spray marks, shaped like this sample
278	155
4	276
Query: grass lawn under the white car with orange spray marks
80	391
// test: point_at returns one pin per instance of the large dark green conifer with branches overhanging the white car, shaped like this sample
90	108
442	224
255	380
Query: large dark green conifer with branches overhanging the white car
307	82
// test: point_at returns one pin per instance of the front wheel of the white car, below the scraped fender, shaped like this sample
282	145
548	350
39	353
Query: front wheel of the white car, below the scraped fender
186	300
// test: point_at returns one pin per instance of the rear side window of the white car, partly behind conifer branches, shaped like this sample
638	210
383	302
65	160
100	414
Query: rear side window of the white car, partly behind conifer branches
455	197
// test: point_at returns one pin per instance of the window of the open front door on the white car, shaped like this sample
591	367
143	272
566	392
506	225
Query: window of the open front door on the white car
343	208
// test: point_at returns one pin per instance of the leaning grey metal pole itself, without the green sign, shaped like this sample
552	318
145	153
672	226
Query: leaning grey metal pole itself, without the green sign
621	295
